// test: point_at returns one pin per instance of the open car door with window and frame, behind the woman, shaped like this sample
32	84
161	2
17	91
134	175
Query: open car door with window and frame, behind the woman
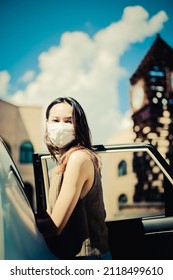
138	196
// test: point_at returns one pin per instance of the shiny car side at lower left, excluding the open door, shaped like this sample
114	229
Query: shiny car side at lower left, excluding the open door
19	236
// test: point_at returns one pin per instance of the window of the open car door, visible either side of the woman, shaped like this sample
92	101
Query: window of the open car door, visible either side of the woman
134	181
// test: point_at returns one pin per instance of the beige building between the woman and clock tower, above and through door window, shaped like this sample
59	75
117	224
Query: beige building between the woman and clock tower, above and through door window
117	175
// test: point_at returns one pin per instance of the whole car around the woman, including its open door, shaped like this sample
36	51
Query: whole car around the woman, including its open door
140	223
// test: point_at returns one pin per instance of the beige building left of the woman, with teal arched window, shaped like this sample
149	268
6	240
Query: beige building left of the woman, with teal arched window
21	129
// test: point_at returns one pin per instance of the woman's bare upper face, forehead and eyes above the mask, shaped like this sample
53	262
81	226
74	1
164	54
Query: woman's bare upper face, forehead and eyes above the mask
61	112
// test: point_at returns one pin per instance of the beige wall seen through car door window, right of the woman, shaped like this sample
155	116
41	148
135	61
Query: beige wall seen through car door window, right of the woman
114	185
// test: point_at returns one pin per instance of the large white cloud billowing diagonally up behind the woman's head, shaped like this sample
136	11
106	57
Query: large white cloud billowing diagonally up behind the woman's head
88	69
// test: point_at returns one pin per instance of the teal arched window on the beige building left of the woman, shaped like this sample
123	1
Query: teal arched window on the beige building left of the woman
26	151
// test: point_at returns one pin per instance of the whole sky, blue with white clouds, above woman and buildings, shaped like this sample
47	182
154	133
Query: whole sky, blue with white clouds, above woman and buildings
36	34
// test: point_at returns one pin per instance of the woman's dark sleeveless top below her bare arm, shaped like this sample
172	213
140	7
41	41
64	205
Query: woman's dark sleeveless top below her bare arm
87	221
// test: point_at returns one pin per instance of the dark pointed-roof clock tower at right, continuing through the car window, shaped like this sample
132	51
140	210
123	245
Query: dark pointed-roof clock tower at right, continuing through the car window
151	96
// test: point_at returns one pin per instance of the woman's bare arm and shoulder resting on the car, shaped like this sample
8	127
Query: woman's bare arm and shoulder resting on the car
79	172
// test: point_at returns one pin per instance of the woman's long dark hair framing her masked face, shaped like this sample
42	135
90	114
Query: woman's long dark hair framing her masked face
79	120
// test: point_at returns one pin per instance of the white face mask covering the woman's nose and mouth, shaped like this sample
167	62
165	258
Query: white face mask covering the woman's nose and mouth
61	134
